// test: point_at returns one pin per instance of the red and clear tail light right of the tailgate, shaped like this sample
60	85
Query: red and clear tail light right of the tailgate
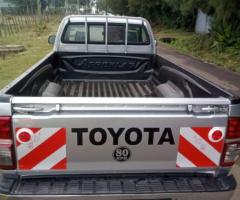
231	150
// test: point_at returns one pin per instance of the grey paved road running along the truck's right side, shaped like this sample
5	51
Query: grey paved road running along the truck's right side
218	75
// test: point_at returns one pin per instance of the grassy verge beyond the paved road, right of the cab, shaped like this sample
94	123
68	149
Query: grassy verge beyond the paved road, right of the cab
197	46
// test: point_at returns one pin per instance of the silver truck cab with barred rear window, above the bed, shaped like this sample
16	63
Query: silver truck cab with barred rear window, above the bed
105	34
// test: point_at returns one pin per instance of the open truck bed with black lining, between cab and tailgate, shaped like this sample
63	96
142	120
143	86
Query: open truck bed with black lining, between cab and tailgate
131	76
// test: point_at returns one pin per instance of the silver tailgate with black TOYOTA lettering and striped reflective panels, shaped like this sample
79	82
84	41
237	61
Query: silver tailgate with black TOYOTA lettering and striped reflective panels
118	135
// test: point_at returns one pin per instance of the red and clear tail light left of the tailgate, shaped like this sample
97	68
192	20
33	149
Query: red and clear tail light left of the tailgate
7	160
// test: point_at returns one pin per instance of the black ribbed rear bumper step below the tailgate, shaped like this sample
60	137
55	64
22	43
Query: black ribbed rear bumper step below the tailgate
118	187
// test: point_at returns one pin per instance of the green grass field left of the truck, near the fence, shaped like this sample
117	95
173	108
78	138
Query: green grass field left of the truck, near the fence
34	39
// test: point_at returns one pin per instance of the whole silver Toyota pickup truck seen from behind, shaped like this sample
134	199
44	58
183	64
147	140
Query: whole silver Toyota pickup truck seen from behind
104	117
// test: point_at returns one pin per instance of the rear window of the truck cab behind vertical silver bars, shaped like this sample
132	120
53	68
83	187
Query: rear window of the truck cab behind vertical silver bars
96	34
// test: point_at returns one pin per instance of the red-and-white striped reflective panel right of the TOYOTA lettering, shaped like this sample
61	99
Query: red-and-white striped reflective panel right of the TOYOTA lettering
198	147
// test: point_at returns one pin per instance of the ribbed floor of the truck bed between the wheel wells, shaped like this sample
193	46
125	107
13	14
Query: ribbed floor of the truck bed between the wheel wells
109	88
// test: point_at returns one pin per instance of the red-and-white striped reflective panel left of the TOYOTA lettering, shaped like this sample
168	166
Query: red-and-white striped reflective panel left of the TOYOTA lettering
45	150
